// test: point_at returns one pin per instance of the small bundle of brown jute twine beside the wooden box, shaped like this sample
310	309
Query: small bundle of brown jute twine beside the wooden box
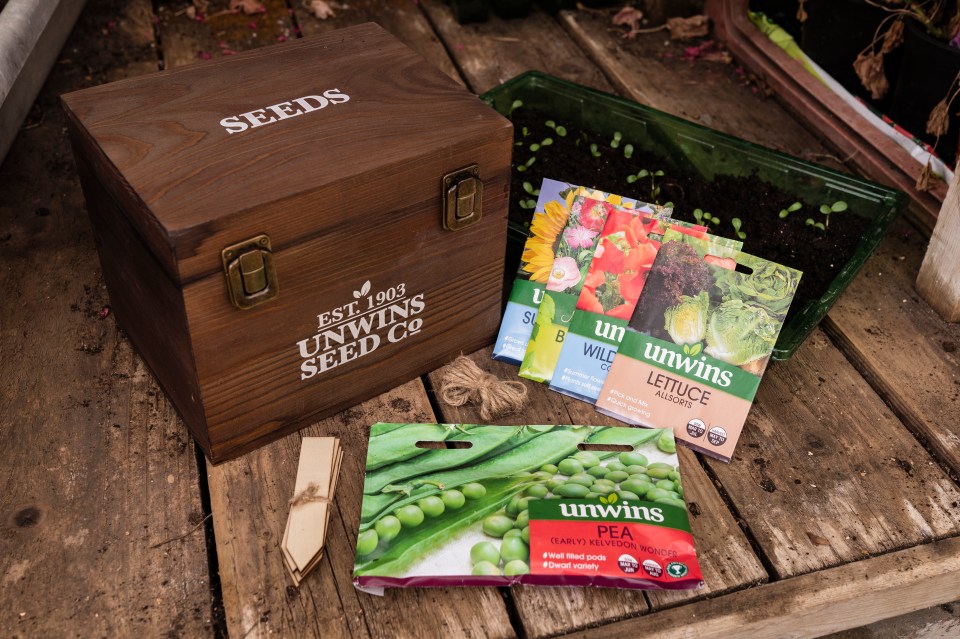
464	382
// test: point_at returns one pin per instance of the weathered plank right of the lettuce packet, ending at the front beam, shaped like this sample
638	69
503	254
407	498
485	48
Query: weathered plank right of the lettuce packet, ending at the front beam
825	474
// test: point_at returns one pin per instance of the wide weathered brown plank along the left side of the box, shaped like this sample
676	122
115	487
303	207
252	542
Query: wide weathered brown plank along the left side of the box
96	470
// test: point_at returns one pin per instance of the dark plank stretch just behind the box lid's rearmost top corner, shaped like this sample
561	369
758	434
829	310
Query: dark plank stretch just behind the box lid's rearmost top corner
402	19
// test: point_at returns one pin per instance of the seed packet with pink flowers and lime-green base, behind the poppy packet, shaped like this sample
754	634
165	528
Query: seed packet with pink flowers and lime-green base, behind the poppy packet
567	277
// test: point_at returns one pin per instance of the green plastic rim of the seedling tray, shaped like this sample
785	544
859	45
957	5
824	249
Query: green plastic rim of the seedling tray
801	325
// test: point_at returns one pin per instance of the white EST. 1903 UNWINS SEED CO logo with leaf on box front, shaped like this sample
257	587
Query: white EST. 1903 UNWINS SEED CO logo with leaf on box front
360	327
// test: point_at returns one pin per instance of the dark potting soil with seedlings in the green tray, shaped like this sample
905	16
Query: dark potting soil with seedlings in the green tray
818	254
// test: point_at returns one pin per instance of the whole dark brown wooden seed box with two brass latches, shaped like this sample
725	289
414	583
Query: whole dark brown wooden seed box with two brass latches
287	232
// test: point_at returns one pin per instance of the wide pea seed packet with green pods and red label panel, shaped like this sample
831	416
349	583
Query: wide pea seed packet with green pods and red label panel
499	505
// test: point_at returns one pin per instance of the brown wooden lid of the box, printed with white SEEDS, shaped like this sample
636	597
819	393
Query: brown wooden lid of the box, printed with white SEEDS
278	138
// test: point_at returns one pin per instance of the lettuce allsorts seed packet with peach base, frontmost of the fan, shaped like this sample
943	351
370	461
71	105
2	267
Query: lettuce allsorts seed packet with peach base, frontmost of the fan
697	346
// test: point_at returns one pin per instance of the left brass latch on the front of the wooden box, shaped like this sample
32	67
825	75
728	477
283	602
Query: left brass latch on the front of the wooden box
251	276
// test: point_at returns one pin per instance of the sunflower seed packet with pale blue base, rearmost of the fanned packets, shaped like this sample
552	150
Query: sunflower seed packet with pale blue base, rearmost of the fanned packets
554	200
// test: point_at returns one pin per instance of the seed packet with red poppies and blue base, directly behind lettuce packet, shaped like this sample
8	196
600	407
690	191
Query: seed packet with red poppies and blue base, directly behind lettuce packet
614	282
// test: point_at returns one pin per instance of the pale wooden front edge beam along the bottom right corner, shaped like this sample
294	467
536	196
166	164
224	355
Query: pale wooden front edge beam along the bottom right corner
858	593
